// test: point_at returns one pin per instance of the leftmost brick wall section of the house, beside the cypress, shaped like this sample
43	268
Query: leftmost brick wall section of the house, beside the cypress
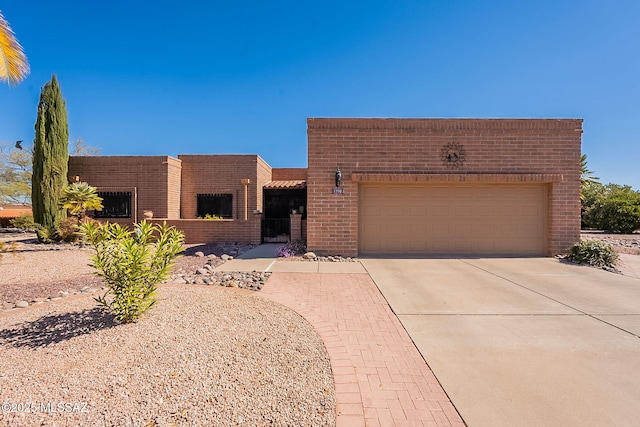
154	179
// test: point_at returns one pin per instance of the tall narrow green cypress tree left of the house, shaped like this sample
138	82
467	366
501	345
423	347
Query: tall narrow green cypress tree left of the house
50	158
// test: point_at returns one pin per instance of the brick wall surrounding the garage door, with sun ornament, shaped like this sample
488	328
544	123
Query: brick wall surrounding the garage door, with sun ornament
407	150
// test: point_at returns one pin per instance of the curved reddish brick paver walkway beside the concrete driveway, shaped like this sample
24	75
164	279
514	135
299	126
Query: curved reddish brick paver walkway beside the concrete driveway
380	377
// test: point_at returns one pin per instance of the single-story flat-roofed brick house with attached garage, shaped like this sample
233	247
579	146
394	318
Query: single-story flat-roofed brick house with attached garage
407	186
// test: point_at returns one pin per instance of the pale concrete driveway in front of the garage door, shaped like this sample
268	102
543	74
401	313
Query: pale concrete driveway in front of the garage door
522	342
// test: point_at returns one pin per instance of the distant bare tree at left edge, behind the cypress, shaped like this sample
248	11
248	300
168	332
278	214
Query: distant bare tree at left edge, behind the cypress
15	174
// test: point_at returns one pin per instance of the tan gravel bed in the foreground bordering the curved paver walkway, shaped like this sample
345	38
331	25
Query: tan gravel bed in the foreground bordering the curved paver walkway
203	356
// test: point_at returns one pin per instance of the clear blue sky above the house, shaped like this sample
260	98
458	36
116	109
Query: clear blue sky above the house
162	77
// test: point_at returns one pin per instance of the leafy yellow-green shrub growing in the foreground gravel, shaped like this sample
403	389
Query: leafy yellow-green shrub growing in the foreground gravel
132	263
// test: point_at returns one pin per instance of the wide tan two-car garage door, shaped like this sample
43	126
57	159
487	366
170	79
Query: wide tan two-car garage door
452	219
